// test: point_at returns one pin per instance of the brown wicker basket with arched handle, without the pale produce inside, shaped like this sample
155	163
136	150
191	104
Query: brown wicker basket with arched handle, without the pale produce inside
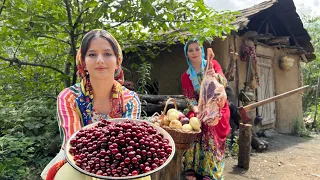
181	138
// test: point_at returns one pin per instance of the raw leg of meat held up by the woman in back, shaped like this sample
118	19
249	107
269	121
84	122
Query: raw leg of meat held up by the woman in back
212	96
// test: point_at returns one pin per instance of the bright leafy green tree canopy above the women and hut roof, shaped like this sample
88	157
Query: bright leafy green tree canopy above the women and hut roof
42	33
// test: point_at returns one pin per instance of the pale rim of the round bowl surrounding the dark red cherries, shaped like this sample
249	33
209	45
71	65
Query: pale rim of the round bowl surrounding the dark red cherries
165	134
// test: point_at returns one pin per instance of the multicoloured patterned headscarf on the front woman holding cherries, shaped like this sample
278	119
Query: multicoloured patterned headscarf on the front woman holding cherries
84	101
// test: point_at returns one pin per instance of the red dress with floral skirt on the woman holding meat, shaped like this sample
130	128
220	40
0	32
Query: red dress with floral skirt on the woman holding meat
202	157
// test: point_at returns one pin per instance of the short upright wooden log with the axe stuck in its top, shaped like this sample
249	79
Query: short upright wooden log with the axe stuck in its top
245	134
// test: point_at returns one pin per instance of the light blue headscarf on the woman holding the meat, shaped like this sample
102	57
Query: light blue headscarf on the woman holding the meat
192	73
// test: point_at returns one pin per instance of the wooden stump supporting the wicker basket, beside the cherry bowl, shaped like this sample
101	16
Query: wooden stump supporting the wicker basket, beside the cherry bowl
172	170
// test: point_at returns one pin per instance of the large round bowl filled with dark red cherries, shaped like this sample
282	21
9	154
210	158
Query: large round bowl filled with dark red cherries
120	148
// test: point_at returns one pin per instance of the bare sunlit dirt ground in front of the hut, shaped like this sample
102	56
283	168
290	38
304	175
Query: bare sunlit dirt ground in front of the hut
287	158
